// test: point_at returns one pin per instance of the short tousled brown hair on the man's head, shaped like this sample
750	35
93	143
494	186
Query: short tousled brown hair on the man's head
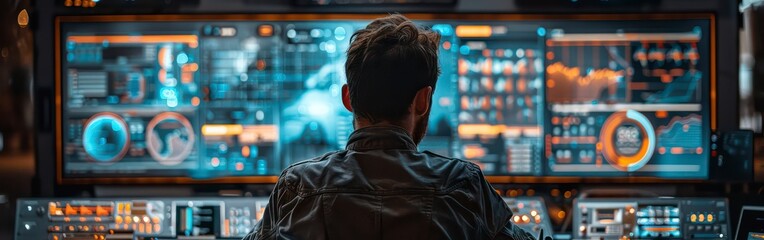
387	63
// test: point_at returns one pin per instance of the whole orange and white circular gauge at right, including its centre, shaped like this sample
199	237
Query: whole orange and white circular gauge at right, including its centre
628	140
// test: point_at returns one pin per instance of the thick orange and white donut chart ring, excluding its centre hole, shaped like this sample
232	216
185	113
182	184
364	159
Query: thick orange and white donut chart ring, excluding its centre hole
610	149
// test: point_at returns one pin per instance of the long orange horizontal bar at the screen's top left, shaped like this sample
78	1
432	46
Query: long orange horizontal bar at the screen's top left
191	40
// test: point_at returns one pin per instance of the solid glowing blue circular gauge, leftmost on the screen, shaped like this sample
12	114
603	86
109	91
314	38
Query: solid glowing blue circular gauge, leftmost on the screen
105	138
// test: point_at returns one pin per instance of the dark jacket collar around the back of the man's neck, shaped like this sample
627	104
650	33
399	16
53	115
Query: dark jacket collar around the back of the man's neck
380	137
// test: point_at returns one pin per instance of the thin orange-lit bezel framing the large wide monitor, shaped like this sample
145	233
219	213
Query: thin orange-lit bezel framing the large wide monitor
497	179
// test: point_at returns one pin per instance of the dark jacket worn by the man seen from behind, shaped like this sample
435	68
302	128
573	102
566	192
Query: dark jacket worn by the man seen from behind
382	187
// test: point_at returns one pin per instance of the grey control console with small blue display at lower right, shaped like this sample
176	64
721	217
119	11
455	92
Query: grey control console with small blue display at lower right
665	218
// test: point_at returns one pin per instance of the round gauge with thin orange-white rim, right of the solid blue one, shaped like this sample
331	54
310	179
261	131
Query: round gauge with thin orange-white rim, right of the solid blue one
169	138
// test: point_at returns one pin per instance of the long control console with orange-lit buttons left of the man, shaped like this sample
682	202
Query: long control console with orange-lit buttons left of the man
207	218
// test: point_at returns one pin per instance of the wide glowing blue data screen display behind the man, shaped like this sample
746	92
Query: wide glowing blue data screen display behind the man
213	99
